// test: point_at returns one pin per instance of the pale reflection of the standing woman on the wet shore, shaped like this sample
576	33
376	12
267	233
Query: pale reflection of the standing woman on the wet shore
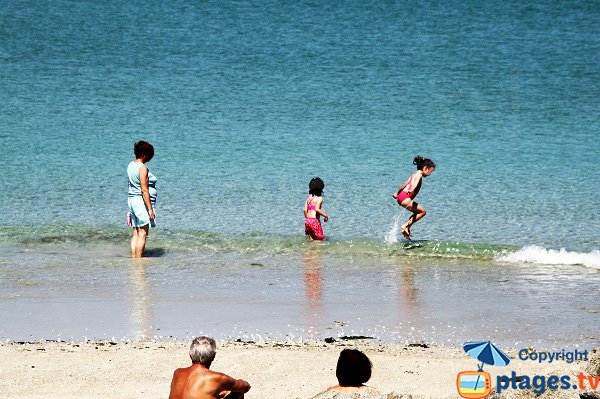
141	299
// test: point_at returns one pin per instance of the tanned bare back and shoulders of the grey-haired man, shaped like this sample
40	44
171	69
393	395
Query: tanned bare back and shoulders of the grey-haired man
198	382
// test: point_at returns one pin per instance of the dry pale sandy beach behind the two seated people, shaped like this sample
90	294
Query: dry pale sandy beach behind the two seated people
275	370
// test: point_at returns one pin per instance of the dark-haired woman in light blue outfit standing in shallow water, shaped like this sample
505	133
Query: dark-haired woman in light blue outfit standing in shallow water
141	196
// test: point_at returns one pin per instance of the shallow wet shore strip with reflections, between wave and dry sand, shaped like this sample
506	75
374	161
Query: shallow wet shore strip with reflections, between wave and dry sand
91	293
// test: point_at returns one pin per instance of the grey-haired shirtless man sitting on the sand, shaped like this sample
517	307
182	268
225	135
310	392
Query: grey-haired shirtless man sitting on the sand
198	382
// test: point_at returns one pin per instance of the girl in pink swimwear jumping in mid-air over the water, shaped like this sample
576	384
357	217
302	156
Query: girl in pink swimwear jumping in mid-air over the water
409	190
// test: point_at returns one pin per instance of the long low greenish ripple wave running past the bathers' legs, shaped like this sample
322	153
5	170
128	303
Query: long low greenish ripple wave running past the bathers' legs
256	243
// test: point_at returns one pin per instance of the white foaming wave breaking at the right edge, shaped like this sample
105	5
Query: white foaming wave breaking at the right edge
539	255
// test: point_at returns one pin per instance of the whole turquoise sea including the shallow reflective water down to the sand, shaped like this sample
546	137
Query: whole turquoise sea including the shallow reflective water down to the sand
245	102
